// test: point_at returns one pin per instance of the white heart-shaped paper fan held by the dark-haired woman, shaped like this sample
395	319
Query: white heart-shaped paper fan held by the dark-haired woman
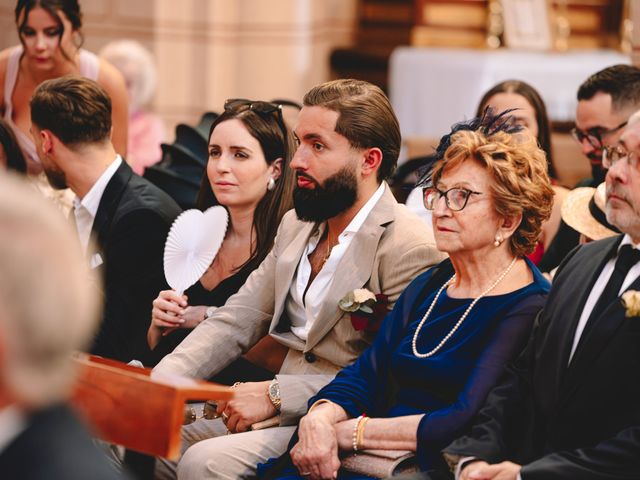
192	244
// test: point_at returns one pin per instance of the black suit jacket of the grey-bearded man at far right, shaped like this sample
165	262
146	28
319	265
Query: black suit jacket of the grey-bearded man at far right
569	421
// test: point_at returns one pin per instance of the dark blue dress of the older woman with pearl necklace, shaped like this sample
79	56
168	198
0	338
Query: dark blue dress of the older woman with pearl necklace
447	388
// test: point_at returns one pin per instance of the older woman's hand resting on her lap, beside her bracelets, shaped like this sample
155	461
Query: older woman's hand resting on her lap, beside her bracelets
316	453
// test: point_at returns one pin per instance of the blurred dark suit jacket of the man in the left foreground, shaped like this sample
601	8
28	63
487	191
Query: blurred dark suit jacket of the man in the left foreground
55	446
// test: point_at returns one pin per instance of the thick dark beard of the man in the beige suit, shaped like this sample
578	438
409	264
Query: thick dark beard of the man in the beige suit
339	192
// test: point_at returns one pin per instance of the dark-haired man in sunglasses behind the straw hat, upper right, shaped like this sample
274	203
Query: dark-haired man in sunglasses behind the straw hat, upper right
605	102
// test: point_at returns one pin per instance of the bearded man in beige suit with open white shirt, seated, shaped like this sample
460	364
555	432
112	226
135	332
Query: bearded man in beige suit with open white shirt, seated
347	233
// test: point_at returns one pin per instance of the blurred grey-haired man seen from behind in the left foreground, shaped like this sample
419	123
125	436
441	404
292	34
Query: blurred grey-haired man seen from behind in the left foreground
48	311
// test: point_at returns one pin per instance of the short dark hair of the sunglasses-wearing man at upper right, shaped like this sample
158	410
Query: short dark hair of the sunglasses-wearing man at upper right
622	82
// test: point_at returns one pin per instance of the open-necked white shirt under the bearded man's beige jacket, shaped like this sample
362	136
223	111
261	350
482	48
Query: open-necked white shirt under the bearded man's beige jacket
304	309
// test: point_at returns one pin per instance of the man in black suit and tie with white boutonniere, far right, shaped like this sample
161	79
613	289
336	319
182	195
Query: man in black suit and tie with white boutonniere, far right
570	409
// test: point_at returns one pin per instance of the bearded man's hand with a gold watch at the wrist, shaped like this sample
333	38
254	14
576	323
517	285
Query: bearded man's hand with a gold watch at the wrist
249	405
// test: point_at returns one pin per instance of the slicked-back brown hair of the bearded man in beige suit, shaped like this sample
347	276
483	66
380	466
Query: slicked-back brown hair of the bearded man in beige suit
366	117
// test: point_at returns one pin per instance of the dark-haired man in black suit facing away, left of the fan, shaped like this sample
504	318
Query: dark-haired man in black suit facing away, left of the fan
128	217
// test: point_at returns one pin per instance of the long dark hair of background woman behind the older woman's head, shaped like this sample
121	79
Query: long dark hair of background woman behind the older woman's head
532	96
